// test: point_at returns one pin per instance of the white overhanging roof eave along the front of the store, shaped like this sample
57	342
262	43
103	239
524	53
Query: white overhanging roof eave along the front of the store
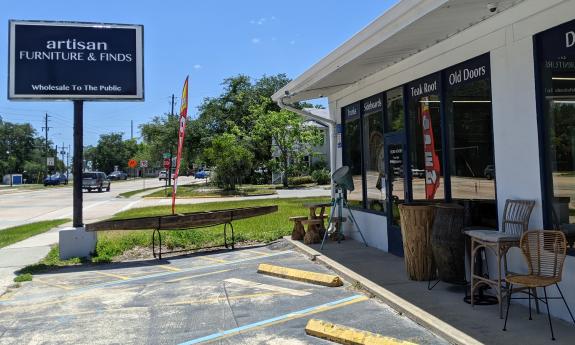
402	31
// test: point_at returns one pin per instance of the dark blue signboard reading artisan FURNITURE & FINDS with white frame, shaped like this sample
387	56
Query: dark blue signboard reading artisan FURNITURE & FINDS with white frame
57	60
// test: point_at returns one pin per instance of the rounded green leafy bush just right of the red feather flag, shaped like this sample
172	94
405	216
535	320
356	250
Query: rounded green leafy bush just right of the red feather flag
232	159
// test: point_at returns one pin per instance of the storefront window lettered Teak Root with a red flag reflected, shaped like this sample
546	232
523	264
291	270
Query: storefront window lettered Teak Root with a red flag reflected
425	139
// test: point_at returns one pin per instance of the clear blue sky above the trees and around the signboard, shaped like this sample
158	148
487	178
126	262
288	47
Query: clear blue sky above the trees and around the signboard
209	40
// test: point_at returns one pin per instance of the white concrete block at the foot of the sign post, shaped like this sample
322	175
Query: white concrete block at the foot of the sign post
76	242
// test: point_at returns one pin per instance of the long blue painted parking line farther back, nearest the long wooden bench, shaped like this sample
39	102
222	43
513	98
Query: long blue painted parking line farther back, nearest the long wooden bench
130	280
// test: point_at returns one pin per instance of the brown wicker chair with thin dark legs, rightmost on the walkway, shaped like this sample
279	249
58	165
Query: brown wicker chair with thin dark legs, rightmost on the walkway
544	252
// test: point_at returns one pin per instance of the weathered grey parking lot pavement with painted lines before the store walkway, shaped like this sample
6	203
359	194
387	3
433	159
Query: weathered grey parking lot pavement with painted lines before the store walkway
213	297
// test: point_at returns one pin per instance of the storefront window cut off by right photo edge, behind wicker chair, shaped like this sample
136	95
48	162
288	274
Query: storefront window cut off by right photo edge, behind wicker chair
556	59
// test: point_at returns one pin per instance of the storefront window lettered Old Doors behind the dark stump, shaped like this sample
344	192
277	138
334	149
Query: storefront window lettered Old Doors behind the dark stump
470	130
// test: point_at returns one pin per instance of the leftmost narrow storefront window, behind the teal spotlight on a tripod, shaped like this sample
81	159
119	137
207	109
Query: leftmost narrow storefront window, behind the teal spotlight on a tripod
352	152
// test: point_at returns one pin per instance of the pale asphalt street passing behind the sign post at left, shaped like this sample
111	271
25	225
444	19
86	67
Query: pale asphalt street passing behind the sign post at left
22	207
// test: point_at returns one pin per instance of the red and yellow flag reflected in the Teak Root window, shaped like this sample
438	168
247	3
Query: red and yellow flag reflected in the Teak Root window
432	166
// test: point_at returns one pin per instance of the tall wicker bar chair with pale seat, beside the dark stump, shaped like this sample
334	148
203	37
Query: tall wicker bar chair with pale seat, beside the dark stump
515	222
